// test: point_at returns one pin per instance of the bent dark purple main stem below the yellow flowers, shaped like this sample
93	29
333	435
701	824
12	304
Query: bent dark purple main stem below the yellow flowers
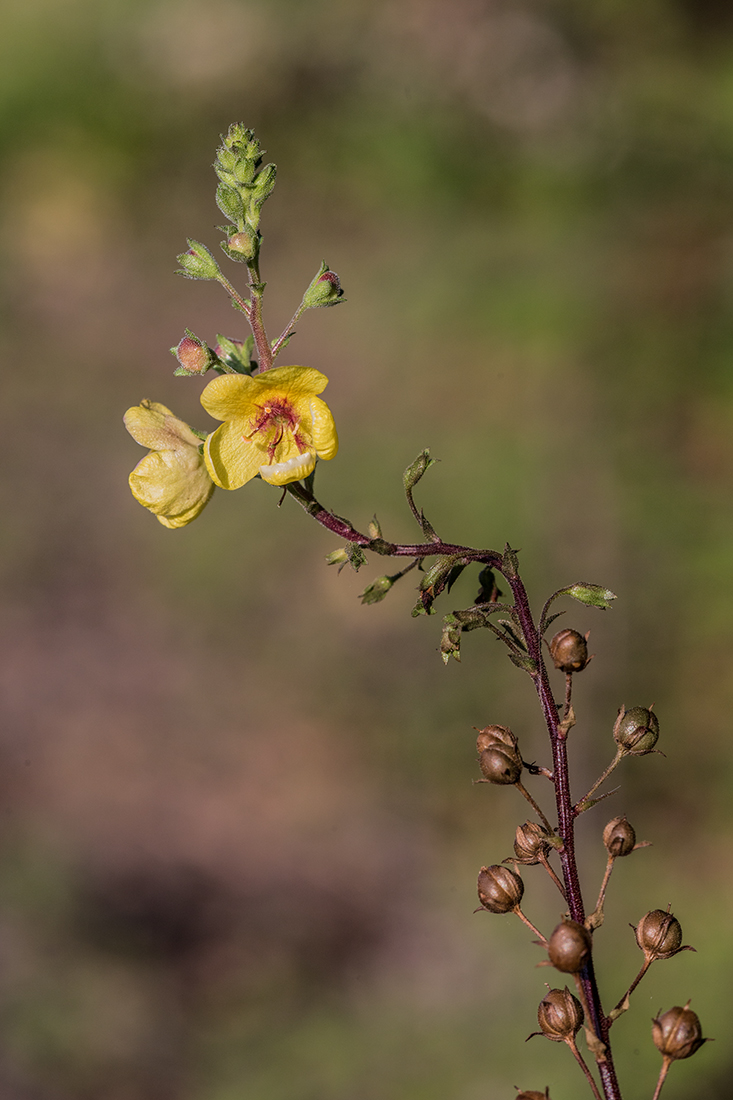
557	732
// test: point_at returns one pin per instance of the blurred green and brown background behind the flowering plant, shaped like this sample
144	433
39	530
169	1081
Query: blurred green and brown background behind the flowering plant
239	837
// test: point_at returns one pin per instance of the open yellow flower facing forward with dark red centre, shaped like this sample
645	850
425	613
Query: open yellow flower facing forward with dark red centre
275	426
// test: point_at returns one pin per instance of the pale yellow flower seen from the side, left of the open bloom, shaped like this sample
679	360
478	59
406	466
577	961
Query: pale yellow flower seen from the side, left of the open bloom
172	481
